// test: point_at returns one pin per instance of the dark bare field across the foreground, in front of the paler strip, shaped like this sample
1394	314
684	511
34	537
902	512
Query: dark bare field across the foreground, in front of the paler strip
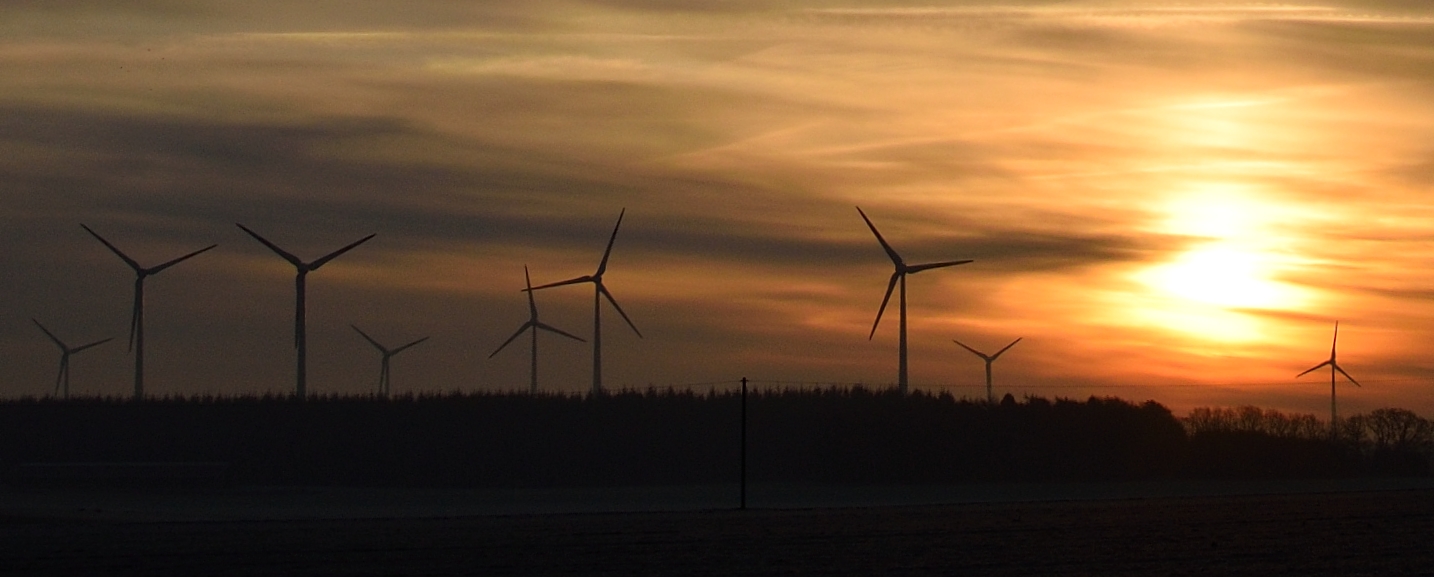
1376	533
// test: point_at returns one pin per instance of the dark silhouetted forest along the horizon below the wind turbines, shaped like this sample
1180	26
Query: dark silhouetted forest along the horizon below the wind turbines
853	436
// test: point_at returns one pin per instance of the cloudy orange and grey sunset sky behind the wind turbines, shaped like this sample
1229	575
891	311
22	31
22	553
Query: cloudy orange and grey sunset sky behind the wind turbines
1169	202
